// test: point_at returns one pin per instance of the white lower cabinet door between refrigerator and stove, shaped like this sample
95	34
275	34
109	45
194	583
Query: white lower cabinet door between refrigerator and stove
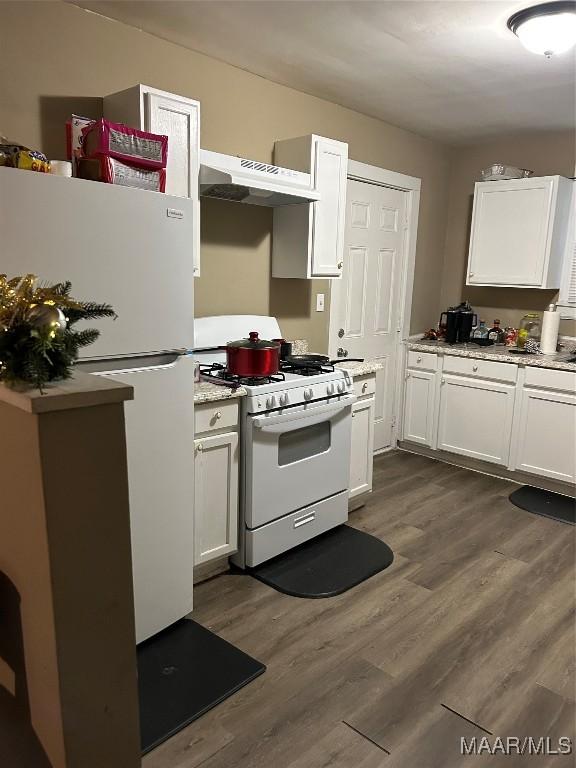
216	496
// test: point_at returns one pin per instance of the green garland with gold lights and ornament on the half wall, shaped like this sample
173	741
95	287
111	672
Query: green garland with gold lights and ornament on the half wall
38	342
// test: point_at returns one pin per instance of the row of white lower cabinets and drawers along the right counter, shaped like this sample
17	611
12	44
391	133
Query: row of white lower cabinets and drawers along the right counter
522	418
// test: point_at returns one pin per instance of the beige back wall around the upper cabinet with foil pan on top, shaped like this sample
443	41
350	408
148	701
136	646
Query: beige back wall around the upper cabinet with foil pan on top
545	154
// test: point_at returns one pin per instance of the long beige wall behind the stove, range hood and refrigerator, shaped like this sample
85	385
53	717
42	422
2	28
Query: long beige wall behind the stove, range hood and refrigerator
57	58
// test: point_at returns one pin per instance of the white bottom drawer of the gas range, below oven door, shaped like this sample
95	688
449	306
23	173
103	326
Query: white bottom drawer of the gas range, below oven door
289	531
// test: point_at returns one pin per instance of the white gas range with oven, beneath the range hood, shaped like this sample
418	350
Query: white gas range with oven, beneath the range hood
295	445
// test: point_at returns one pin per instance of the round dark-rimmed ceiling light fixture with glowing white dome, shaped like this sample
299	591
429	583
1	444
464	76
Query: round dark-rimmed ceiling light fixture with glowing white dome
546	29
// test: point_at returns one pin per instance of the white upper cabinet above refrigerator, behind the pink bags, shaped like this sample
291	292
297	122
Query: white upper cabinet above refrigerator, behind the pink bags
178	118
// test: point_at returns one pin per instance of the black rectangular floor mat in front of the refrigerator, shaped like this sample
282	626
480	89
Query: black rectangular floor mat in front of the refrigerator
182	673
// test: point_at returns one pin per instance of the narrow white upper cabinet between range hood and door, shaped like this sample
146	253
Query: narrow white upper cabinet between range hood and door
308	240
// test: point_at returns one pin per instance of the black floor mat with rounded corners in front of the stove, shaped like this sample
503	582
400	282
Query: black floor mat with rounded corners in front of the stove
327	565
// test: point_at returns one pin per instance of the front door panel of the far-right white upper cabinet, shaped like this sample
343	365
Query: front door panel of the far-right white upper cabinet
509	240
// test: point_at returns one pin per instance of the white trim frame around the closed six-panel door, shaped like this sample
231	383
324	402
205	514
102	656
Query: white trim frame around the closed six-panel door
372	174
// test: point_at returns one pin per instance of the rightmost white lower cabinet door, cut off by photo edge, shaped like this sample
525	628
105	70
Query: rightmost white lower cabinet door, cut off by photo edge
547	434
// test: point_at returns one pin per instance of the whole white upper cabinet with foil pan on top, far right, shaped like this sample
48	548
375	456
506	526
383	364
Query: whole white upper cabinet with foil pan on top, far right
519	231
